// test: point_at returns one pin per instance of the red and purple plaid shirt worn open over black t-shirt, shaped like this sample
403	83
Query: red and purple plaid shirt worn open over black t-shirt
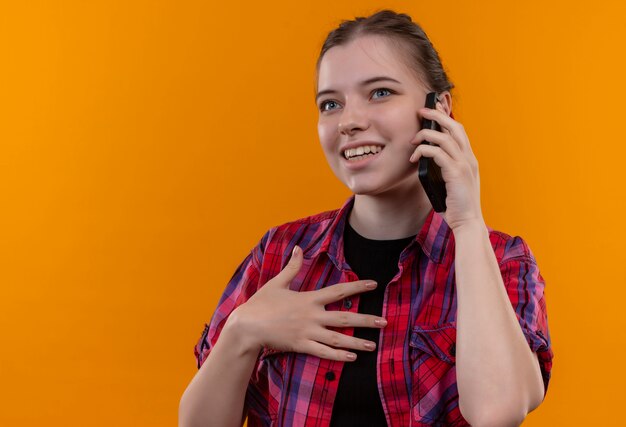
416	351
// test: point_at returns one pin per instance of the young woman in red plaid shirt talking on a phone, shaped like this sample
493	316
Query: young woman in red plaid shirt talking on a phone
383	312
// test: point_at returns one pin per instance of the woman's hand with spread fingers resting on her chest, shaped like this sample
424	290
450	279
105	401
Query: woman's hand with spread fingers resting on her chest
281	319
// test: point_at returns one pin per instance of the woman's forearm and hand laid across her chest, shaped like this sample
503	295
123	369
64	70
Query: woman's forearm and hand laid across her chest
275	317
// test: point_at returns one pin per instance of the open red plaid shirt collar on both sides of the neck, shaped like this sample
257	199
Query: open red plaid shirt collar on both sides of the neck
433	238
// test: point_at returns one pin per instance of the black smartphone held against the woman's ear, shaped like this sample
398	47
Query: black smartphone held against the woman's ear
429	172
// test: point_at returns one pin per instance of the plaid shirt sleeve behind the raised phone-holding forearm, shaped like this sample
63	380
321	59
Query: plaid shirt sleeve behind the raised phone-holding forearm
525	287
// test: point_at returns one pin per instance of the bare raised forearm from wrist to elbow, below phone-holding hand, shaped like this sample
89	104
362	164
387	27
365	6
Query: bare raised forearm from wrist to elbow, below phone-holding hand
498	376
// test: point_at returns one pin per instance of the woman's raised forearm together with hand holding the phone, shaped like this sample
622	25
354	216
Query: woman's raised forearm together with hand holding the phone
498	376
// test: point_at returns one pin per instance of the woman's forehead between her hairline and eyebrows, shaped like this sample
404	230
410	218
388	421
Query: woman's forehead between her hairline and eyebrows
363	58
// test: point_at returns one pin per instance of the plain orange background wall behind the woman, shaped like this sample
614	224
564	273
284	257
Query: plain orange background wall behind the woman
146	146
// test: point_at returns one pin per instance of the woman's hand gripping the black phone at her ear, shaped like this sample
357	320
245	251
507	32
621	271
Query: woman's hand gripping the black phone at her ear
459	167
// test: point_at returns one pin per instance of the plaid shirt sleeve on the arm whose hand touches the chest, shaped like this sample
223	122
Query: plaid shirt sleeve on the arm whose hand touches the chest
243	284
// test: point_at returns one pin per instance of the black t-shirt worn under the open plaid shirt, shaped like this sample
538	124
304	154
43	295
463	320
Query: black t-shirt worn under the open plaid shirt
358	402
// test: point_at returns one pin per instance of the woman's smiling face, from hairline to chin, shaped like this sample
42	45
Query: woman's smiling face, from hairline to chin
368	101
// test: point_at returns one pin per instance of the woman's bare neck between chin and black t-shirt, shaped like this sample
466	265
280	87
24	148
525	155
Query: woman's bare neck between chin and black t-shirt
393	215
